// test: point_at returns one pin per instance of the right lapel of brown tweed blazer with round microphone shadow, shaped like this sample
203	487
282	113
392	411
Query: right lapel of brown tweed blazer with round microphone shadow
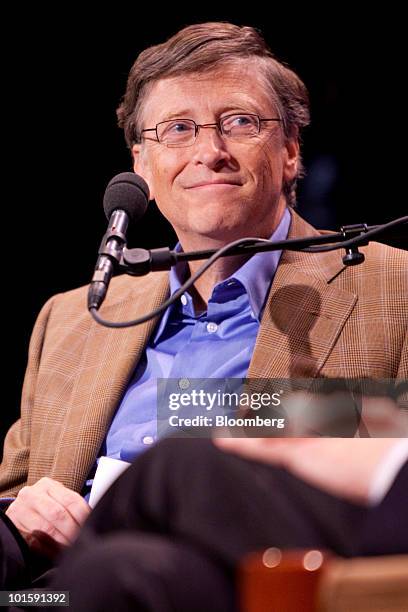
304	314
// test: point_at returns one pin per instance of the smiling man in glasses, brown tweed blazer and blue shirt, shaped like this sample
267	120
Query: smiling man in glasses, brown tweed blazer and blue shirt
213	122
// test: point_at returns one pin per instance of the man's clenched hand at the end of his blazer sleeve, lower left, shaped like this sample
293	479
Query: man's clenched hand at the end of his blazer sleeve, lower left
48	515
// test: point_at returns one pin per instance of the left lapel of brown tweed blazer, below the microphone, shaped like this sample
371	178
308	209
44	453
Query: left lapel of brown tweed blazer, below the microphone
107	363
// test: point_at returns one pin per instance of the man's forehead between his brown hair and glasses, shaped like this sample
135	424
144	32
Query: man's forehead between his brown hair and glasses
241	86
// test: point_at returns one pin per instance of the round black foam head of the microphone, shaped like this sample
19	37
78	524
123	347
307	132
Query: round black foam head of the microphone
129	192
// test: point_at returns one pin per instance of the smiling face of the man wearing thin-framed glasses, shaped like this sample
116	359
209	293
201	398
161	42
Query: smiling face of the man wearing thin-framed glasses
216	189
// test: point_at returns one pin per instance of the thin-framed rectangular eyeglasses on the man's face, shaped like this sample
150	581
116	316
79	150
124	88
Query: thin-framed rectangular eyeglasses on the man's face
183	132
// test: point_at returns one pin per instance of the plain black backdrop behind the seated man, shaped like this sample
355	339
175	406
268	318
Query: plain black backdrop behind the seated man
62	80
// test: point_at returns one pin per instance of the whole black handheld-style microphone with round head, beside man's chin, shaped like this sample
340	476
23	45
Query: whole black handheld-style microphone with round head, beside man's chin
125	200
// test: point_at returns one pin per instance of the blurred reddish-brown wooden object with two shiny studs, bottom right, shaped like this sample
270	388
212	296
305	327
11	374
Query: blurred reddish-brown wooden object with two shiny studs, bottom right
316	581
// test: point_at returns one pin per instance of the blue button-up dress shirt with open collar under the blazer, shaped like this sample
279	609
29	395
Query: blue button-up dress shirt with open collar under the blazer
217	343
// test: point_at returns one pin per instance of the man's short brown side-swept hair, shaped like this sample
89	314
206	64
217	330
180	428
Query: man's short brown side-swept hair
207	47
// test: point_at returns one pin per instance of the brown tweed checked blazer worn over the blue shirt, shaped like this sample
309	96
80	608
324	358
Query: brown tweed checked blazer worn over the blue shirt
320	319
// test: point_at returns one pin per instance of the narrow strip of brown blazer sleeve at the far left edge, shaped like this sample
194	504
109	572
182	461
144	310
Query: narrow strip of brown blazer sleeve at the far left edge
16	452
